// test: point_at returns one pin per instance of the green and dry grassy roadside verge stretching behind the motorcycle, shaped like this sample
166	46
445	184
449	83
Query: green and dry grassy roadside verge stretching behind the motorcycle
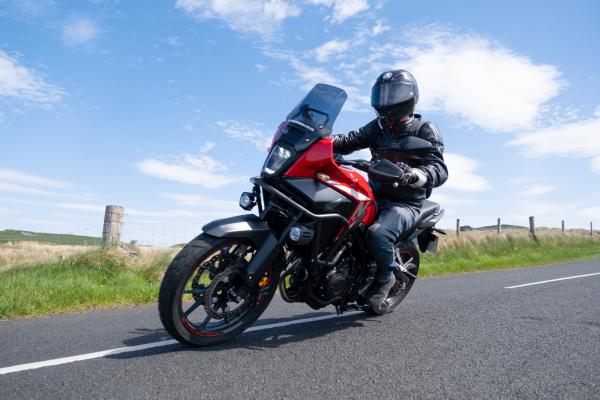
38	279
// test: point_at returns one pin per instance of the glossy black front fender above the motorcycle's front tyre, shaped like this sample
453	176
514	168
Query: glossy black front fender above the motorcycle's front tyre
247	226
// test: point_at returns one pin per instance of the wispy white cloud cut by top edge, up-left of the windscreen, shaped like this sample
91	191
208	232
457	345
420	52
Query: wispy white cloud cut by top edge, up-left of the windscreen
261	17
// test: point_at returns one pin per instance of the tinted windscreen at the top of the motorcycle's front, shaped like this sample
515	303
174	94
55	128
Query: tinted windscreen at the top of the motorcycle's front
320	108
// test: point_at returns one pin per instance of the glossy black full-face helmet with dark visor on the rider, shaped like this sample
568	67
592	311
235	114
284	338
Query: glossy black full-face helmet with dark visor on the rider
394	94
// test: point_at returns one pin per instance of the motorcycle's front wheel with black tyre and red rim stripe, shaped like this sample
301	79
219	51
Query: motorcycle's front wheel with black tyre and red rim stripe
202	300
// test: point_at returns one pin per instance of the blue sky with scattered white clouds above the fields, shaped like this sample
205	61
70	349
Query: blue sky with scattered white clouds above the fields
167	108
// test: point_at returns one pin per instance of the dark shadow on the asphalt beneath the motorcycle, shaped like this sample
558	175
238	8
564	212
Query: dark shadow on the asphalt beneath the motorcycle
257	340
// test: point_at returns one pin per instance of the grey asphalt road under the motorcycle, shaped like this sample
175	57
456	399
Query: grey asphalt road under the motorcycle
454	337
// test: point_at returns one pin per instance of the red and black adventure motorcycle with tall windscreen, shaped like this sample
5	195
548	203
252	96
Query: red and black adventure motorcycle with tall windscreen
307	241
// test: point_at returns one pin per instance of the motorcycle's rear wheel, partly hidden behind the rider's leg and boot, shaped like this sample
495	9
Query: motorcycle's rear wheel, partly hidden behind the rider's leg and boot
408	256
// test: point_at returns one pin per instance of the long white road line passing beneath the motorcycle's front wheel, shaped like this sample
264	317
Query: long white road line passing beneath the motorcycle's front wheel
128	349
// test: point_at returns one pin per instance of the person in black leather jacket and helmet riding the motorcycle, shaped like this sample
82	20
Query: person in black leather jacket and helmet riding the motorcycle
393	97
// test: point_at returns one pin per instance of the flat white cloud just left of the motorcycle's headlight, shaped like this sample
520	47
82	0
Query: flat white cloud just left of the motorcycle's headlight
199	170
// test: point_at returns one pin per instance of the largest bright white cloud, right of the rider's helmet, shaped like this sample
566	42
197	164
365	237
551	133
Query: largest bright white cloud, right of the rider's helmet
478	80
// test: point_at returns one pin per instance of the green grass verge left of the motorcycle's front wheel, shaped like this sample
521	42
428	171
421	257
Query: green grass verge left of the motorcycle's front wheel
92	279
